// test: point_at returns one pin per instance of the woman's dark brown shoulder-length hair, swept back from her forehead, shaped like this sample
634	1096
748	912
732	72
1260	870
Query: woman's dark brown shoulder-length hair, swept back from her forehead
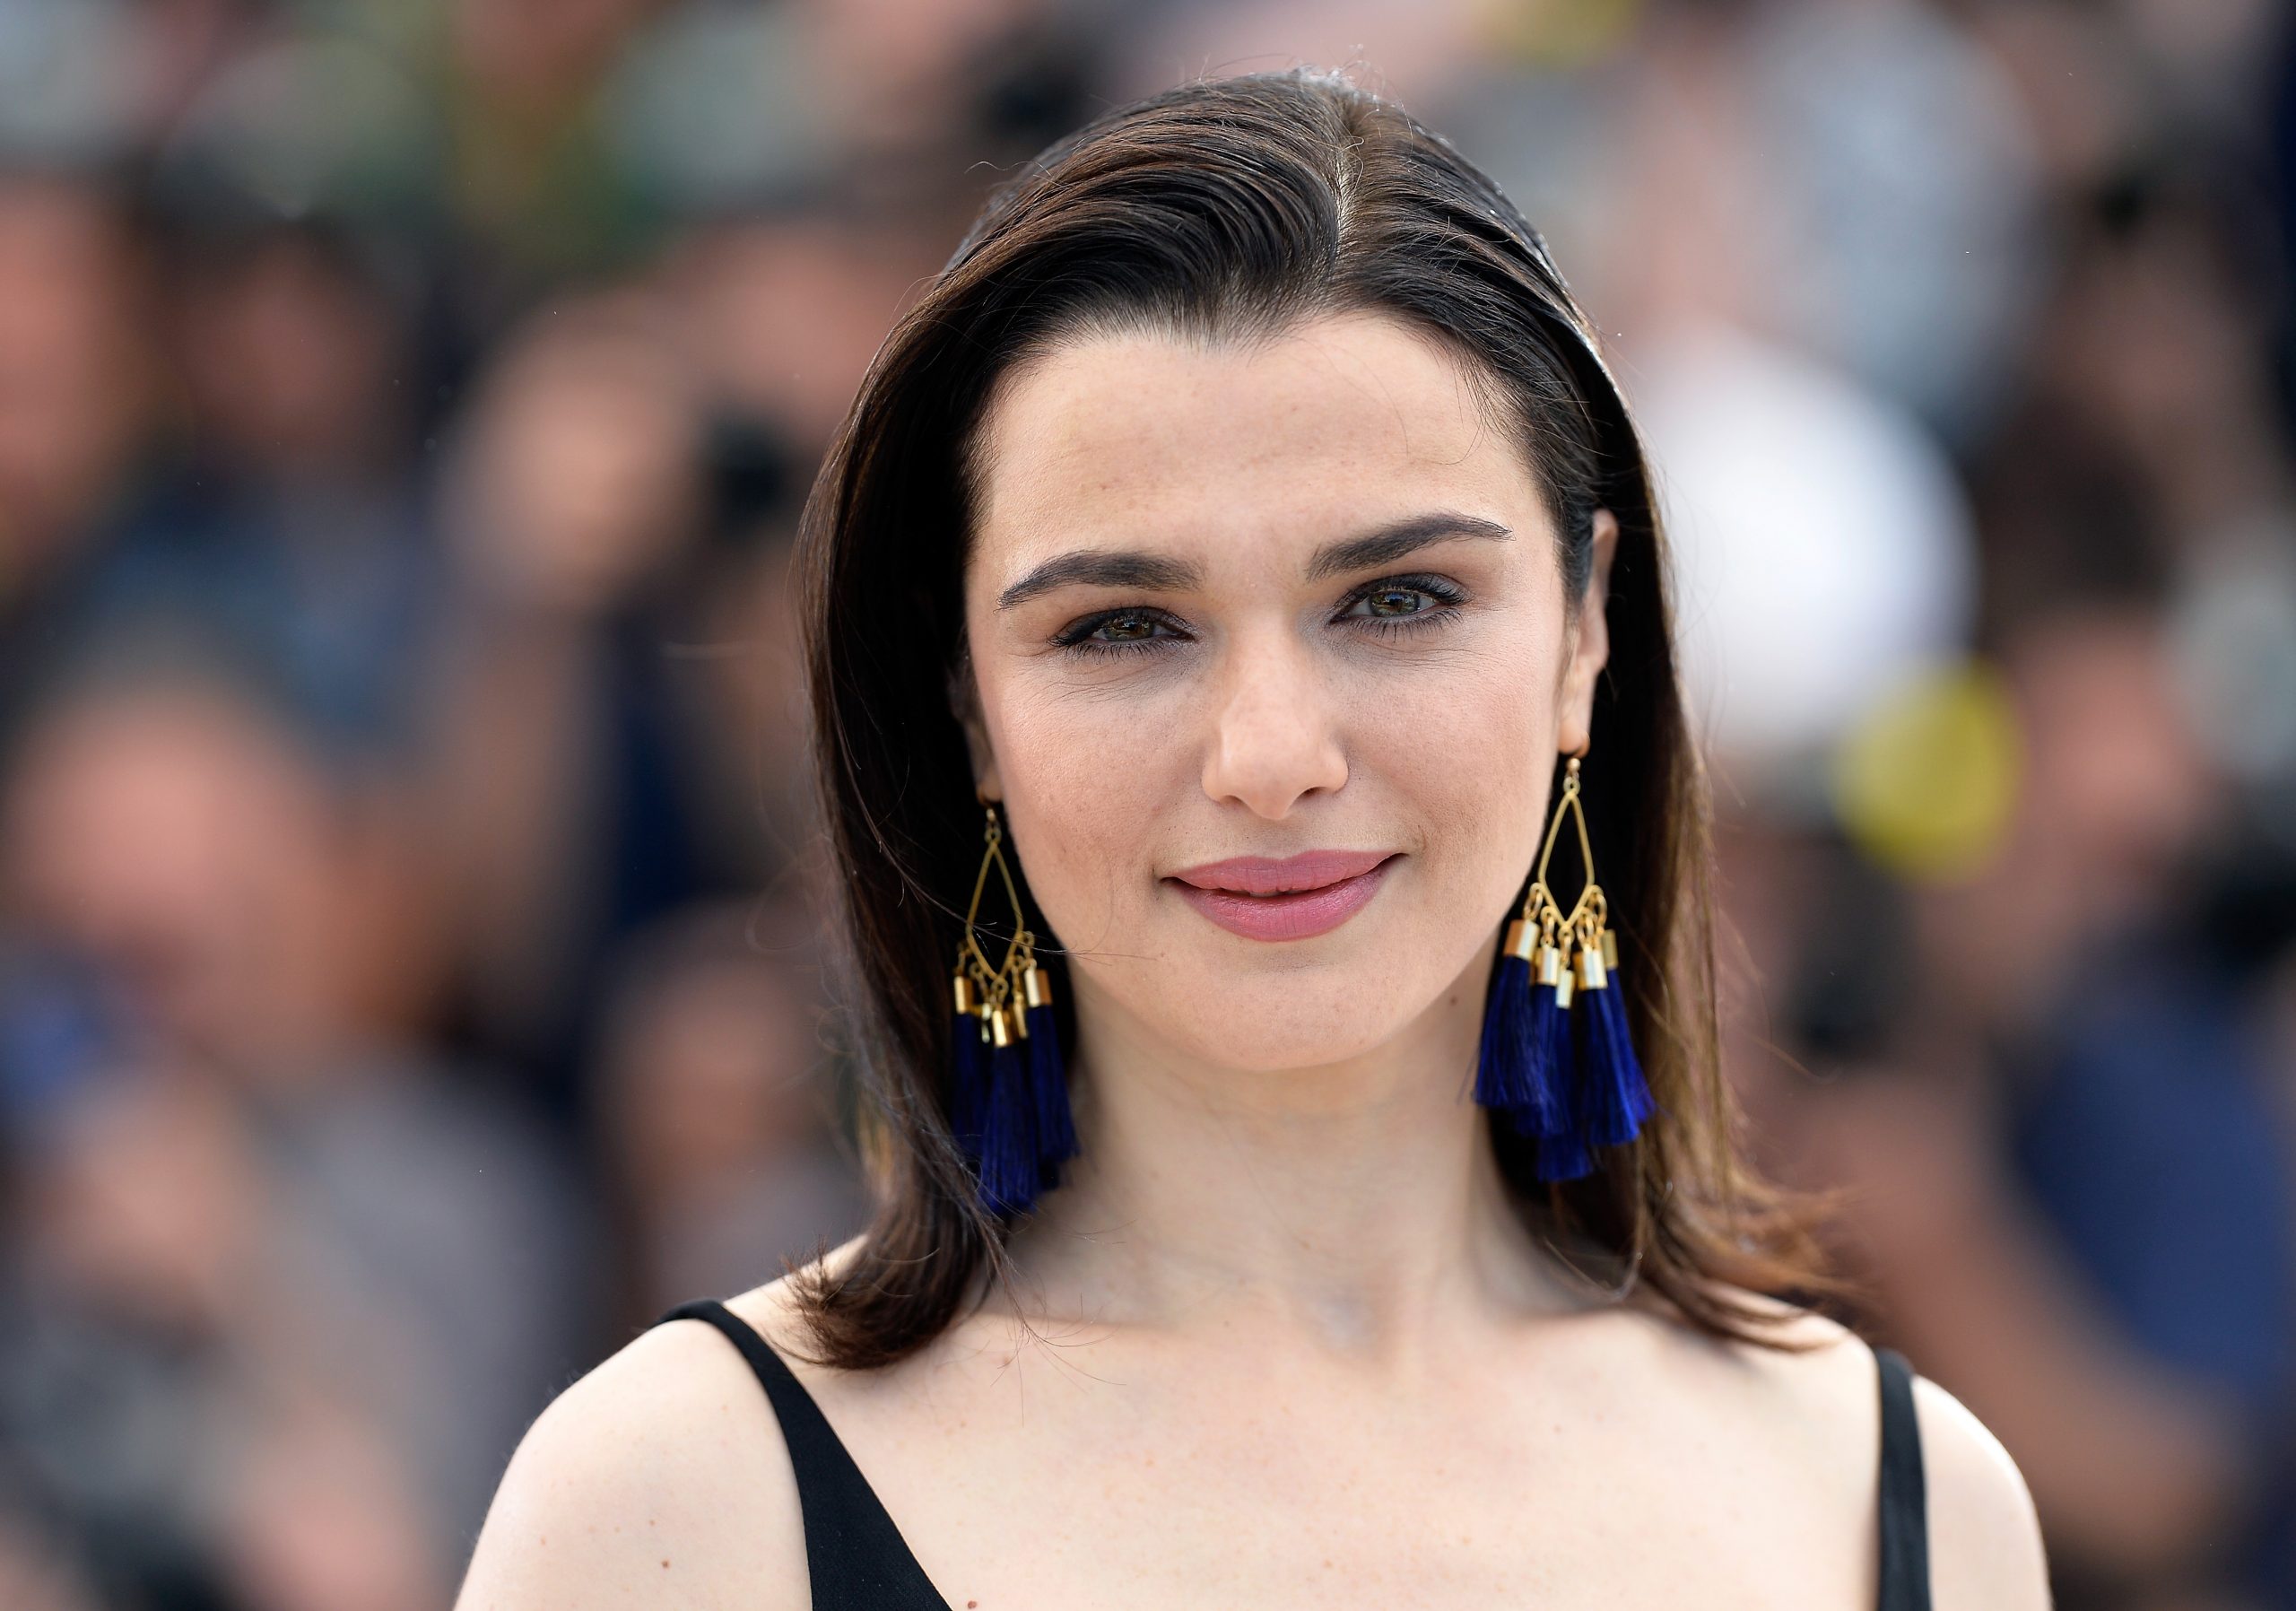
1232	210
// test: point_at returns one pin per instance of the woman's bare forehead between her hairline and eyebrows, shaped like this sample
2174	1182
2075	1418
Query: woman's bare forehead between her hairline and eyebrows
1163	437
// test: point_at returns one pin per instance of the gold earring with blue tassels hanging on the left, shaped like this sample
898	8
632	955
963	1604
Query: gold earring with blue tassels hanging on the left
1009	1087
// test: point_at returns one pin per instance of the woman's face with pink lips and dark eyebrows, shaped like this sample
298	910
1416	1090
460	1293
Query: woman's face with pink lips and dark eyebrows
1264	602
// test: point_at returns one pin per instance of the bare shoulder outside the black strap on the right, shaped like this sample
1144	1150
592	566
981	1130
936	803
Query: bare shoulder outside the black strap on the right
1985	1536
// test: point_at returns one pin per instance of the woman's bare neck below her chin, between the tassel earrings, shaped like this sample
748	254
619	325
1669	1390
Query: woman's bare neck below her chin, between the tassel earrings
1356	1204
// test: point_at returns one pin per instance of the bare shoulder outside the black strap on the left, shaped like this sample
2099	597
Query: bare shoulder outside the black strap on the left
660	1474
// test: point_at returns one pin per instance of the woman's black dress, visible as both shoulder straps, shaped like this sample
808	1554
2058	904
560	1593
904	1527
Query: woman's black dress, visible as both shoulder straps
860	1562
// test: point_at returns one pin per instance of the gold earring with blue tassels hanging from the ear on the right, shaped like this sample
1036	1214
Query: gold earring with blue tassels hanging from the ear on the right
1565	1077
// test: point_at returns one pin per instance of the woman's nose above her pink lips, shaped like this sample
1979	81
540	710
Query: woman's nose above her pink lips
1275	729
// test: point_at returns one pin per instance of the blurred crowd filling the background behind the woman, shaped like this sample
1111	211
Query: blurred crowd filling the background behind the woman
408	970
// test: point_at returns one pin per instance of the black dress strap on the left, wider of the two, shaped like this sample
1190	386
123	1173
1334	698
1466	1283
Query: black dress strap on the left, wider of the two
855	1557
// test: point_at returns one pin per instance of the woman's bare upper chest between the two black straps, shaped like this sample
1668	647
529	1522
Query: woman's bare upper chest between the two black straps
1128	1477
